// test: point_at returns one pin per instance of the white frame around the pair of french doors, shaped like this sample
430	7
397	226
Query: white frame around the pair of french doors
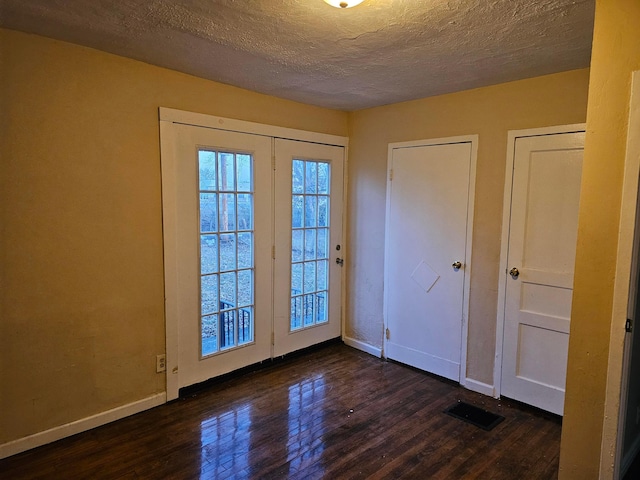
167	117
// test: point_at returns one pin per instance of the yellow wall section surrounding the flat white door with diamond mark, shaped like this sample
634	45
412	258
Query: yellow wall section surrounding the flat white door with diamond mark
490	112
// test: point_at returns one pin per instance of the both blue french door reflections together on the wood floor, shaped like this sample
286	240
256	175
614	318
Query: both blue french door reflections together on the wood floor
294	434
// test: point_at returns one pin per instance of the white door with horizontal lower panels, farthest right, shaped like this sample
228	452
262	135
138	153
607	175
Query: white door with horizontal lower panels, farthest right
541	254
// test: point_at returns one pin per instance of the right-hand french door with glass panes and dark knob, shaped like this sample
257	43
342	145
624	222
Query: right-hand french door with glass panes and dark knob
308	249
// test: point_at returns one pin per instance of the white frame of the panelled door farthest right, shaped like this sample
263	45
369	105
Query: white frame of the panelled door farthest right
513	135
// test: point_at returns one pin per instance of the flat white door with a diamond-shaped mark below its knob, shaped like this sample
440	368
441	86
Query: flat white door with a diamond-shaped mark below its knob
426	259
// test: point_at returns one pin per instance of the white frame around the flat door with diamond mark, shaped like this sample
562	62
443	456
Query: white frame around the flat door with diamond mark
473	139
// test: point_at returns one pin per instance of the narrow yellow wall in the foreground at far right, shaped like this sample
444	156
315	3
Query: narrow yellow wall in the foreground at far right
616	53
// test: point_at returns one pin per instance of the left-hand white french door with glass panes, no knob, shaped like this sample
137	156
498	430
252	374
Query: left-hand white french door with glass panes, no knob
223	238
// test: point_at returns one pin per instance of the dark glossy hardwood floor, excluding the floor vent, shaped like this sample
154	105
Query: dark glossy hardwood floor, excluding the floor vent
331	413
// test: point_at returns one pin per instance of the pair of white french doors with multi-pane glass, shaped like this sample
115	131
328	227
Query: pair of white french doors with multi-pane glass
252	228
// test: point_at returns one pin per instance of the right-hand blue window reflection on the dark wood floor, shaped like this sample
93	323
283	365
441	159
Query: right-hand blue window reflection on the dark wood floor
306	424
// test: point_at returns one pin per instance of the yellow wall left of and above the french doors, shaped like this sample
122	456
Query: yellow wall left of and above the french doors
81	272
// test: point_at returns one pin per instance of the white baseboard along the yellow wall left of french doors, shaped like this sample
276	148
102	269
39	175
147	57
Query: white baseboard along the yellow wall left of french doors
56	433
